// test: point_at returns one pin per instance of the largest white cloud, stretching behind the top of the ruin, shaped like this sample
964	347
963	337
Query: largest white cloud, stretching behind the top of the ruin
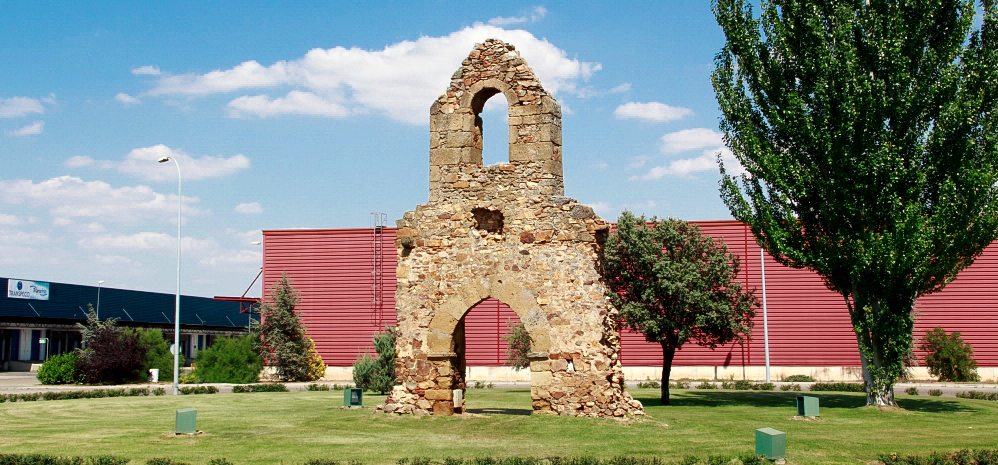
399	81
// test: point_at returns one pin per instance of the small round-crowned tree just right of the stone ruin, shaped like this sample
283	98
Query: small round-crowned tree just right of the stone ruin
675	285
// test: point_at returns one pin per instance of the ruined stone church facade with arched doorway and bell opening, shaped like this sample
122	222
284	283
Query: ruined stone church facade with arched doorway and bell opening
505	231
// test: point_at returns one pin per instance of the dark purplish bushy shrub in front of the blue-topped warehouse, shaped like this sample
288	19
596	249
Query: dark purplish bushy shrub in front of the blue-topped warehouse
109	355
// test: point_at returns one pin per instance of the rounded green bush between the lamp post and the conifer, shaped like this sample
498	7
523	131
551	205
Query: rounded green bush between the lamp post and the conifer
229	360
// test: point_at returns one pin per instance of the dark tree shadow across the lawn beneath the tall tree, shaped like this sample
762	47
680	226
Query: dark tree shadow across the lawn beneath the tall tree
712	398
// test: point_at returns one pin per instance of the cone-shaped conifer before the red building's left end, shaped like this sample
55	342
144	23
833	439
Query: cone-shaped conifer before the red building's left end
280	337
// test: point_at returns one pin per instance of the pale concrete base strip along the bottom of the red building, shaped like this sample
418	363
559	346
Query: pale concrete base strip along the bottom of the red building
505	375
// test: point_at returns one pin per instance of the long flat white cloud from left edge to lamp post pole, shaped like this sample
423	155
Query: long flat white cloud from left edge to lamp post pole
69	197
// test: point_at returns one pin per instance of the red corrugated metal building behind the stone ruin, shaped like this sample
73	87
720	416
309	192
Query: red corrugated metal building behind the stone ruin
346	278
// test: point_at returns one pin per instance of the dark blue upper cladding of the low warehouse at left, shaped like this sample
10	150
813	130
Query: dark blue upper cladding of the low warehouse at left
69	302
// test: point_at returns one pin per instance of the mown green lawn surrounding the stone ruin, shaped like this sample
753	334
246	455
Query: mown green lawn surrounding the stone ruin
291	428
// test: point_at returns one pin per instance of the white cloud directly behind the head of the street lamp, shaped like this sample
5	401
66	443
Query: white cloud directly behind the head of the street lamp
142	163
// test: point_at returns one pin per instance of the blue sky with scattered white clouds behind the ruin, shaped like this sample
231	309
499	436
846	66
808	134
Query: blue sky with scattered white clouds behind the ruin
314	115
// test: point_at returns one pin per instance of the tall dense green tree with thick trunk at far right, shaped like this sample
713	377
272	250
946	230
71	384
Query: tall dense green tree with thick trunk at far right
867	132
